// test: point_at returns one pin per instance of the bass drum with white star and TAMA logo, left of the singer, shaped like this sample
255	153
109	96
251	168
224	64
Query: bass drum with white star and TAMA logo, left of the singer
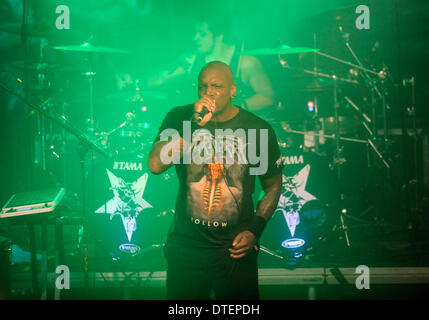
132	209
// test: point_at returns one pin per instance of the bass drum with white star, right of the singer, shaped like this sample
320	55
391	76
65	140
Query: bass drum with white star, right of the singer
306	211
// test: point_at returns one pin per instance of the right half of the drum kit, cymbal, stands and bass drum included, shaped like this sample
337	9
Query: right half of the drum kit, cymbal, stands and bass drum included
314	145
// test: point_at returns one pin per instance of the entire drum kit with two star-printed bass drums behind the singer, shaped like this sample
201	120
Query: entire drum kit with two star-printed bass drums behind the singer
128	190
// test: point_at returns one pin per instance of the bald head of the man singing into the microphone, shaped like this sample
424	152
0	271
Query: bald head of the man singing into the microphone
216	81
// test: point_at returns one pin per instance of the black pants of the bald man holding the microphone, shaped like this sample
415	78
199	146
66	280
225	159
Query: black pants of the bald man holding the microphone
193	272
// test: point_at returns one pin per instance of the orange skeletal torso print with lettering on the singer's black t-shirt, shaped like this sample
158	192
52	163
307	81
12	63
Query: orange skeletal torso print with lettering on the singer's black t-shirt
215	190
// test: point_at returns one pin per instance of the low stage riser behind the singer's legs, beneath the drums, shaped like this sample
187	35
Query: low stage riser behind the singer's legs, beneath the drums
304	283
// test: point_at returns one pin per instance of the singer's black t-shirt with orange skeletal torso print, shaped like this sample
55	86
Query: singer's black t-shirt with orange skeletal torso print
214	202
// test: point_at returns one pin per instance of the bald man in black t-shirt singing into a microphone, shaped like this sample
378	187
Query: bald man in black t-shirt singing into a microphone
212	244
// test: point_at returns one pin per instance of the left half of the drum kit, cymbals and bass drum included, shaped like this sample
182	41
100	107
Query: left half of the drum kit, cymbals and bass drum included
125	209
